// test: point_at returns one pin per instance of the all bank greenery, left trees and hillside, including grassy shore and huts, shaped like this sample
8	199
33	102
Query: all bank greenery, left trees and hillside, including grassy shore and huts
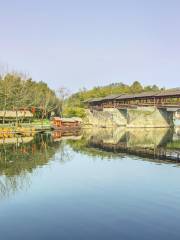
19	93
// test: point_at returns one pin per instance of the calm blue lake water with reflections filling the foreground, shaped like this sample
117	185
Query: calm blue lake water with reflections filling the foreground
89	187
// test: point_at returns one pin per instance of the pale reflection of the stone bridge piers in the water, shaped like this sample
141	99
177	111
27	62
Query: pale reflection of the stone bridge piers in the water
134	137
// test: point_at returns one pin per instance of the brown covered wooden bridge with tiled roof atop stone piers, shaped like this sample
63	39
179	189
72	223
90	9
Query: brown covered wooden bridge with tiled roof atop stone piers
168	99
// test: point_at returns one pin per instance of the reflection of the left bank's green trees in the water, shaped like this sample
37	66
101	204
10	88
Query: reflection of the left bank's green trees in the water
20	156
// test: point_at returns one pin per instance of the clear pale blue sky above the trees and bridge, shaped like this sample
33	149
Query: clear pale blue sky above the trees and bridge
87	43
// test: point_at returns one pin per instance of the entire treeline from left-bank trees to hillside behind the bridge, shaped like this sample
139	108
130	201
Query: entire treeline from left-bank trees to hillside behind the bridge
19	92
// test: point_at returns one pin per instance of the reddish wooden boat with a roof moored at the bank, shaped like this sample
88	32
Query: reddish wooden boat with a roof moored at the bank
66	124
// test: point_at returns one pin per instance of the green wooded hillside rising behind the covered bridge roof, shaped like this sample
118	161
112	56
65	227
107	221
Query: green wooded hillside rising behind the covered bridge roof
75	106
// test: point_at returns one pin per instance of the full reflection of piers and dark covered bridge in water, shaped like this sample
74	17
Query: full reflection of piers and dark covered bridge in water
153	143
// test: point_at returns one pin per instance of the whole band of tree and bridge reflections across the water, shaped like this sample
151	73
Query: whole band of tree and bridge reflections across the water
20	156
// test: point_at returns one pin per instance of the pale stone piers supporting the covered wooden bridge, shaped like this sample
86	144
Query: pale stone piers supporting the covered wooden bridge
146	117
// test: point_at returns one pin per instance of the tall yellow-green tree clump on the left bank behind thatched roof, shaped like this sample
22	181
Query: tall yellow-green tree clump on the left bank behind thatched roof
18	92
